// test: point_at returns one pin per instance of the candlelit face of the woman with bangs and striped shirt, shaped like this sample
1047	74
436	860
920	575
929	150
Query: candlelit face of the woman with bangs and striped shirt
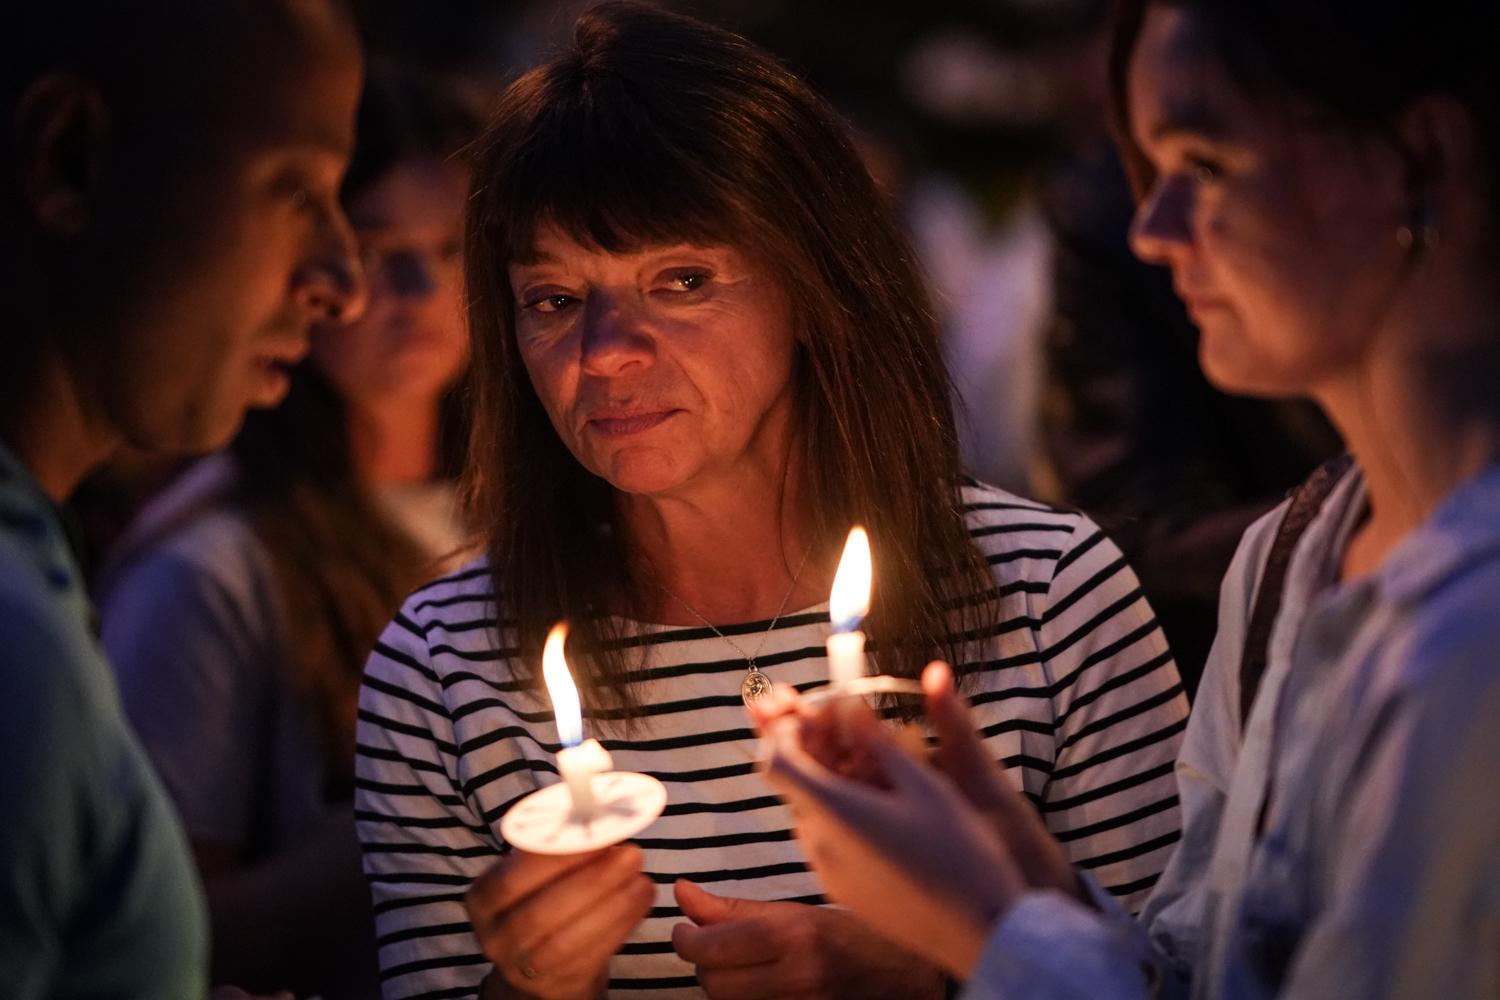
667	371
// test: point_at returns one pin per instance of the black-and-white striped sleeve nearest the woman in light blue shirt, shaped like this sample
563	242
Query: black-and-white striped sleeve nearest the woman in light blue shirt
1120	713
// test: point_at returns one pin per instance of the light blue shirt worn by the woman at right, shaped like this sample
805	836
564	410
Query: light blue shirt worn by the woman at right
1375	750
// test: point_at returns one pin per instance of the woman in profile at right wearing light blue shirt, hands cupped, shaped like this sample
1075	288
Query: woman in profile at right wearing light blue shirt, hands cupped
1327	202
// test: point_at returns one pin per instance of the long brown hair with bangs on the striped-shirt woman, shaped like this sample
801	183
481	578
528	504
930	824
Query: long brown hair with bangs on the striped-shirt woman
655	128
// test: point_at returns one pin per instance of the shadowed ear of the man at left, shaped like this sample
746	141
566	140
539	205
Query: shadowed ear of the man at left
62	133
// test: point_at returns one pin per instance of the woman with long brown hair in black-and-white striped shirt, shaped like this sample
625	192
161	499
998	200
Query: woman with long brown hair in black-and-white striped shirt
701	353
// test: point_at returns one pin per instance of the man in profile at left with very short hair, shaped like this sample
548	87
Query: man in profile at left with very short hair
169	241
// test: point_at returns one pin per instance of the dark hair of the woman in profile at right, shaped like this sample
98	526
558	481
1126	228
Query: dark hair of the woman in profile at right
1354	64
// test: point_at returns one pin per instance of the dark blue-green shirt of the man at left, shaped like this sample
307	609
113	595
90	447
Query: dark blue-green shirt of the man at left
98	893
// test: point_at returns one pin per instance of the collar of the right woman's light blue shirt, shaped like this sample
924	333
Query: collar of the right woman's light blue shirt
1465	530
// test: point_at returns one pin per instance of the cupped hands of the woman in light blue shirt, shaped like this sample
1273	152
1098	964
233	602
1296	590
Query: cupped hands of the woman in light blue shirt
928	857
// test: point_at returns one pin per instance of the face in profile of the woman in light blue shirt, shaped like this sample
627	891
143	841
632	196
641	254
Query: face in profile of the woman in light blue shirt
1280	236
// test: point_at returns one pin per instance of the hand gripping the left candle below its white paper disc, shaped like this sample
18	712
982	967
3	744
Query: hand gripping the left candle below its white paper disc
551	924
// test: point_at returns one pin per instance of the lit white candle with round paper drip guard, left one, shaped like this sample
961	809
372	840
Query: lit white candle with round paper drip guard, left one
593	807
